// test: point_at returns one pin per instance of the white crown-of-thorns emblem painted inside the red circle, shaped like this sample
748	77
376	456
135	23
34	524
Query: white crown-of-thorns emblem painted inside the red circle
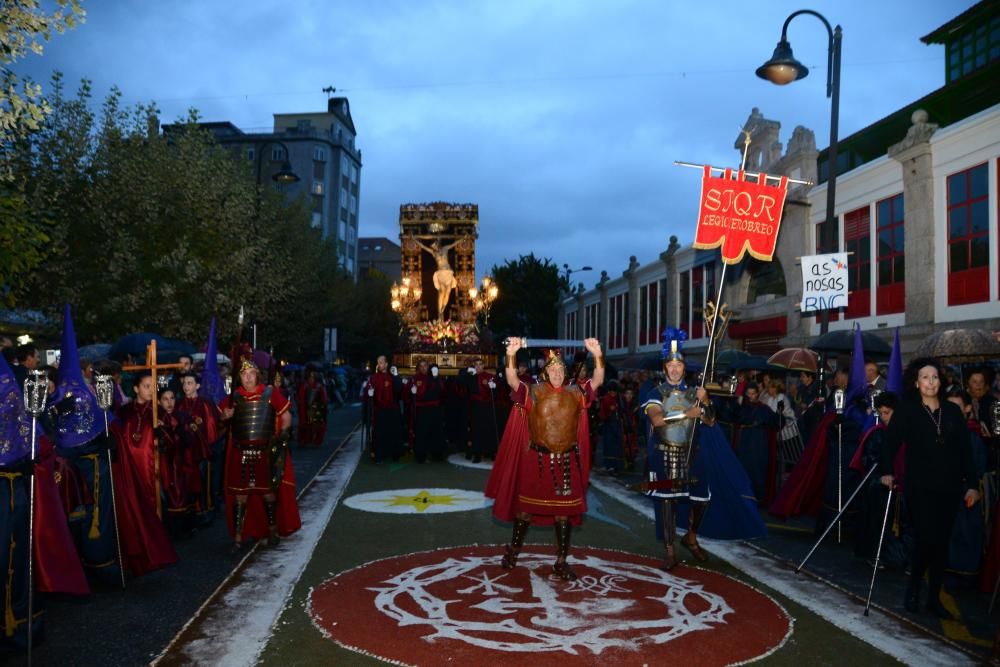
613	604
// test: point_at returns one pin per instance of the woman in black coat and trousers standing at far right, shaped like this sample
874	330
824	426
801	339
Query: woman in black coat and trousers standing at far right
939	473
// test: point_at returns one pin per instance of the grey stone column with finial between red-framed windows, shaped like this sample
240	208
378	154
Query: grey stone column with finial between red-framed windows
915	156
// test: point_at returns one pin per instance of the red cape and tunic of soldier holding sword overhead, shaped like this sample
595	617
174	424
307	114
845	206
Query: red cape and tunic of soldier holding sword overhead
515	471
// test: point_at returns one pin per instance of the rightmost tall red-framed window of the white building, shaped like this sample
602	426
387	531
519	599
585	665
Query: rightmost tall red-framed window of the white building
968	236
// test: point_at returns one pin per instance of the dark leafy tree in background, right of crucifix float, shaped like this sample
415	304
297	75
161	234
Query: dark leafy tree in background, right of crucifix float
528	302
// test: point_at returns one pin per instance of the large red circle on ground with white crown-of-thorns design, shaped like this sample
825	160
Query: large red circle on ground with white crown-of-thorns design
459	606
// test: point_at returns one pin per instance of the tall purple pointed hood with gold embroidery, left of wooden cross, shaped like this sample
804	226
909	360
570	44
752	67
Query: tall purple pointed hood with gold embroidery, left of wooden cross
78	417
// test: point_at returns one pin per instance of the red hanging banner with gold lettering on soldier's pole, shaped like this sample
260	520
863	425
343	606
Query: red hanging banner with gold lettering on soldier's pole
740	215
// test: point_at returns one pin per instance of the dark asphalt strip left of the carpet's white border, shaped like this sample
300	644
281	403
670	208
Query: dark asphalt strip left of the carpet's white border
115	627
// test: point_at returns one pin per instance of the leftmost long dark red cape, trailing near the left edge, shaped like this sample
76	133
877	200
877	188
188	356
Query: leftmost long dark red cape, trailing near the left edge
57	566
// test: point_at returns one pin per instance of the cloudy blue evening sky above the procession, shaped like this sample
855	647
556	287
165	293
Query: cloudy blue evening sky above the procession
561	119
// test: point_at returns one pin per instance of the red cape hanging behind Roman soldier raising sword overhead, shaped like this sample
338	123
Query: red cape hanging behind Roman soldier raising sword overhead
502	484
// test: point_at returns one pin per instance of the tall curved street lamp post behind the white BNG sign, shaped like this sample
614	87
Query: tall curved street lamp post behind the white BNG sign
782	69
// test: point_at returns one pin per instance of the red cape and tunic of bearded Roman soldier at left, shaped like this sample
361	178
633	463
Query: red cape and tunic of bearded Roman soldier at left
255	524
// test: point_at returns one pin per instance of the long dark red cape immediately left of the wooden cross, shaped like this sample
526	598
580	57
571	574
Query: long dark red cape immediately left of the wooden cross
145	544
